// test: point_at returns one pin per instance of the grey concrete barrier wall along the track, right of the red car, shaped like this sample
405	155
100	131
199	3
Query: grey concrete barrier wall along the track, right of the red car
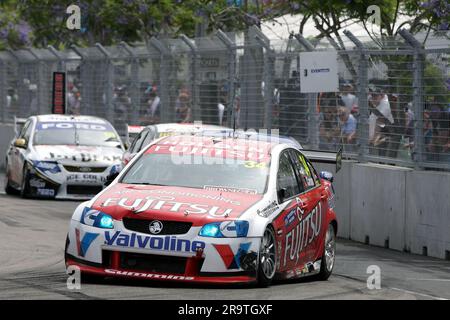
393	207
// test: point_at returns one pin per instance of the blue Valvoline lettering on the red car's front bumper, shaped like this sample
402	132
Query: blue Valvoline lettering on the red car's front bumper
166	243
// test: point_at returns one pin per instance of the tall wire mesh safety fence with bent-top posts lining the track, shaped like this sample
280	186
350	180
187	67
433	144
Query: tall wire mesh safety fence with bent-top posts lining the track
393	103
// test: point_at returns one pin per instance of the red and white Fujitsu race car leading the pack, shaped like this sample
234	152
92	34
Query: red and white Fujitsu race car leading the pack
207	209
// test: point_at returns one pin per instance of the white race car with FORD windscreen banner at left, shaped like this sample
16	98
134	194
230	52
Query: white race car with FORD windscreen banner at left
59	156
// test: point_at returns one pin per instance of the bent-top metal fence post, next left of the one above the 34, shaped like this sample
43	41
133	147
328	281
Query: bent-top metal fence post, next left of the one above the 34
231	47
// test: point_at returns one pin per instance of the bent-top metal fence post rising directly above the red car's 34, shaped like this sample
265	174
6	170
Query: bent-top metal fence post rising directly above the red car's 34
269	69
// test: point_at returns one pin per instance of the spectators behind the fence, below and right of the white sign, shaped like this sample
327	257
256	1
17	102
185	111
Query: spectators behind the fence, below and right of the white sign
391	124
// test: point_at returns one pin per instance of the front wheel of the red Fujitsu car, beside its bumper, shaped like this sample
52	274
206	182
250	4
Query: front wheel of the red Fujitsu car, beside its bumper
267	258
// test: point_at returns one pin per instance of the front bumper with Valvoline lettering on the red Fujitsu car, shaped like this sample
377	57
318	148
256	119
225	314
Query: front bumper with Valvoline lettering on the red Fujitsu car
122	253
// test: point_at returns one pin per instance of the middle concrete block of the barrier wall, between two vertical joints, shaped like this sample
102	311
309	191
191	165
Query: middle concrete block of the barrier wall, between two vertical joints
378	205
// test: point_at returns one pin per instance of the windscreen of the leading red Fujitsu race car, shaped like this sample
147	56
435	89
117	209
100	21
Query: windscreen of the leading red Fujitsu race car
199	172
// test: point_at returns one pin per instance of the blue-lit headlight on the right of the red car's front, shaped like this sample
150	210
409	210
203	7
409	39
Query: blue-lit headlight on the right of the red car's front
226	229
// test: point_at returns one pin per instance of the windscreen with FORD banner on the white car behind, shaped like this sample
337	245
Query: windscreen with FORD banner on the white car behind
75	133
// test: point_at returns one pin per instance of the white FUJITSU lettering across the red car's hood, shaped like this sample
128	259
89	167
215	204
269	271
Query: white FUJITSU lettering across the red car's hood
166	203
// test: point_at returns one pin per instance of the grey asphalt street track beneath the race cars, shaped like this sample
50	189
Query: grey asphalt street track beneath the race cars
32	234
